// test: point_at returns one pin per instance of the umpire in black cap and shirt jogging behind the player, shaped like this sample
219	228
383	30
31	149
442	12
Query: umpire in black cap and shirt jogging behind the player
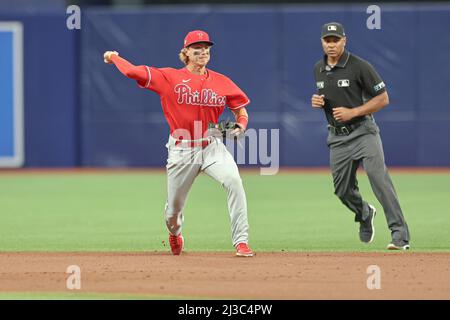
350	91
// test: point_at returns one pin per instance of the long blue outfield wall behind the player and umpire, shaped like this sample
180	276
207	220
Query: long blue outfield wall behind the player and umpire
80	111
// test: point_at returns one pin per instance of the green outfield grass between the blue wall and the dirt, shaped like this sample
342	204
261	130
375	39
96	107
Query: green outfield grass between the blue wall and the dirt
287	212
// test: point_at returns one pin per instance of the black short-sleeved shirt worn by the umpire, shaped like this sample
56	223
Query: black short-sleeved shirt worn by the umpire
350	83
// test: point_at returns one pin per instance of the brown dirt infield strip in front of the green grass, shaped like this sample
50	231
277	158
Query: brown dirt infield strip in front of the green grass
405	275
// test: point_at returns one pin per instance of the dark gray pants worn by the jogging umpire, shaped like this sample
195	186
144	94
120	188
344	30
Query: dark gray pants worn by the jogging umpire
346	153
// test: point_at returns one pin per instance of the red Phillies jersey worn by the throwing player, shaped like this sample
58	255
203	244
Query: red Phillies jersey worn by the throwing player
187	97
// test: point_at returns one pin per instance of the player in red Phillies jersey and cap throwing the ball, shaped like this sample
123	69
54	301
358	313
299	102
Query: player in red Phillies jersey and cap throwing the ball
192	98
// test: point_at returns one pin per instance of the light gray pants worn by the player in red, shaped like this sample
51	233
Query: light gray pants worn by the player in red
184	163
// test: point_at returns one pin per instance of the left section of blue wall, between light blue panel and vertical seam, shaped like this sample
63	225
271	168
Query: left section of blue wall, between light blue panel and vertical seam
50	88
